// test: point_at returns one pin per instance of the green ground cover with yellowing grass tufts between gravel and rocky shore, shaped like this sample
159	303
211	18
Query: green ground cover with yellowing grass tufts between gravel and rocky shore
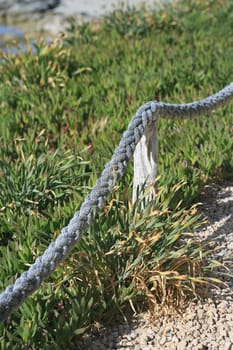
63	112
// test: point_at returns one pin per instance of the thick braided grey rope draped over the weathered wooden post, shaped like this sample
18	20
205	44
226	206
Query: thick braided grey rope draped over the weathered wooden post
44	265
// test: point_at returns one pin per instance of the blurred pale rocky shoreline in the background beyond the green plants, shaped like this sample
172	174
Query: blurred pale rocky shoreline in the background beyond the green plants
52	21
